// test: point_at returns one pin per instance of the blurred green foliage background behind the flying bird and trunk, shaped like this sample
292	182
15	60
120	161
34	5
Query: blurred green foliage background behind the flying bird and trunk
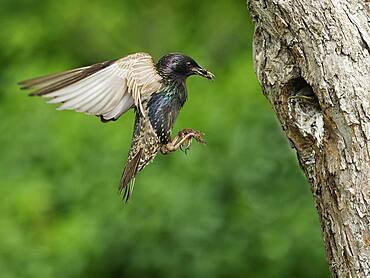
238	207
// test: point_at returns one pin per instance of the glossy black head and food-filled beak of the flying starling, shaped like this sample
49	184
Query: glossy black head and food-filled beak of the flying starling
176	66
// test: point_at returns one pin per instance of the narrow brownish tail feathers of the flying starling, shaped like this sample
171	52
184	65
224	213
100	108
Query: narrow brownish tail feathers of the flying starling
128	175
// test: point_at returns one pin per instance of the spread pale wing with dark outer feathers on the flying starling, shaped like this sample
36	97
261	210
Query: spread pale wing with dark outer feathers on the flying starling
105	89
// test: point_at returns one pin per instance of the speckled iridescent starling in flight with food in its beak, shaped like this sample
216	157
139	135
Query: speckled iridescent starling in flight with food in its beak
155	91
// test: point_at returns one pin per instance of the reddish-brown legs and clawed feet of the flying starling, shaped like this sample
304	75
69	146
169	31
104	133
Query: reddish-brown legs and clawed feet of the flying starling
185	136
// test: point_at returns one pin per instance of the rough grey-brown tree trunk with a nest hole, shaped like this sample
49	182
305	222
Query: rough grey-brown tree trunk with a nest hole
312	59
